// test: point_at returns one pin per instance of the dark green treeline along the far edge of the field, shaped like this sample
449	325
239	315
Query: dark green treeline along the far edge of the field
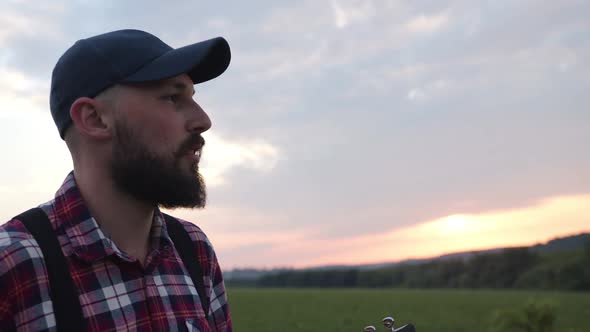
508	268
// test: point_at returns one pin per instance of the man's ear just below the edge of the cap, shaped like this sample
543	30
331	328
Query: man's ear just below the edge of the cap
89	118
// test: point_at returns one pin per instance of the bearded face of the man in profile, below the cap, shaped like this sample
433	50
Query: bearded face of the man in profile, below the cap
157	144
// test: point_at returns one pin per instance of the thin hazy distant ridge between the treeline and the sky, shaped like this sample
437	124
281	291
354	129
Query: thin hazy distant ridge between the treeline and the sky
560	244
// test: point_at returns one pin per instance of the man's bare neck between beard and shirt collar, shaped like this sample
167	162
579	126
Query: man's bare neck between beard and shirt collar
127	220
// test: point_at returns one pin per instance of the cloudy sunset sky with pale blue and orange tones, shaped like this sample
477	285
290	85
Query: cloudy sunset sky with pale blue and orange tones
344	131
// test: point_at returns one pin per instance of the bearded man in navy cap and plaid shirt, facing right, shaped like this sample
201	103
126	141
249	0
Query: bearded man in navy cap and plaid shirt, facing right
123	103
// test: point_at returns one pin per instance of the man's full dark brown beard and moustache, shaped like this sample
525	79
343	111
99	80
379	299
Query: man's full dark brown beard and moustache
156	180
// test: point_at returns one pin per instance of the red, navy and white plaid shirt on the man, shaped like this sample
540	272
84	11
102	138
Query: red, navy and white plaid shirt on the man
115	291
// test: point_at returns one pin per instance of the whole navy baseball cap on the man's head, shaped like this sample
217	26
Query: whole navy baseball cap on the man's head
94	64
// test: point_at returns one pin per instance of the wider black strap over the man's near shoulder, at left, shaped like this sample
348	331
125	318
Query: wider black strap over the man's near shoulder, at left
66	304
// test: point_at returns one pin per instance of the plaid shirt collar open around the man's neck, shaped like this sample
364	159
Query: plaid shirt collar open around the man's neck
88	240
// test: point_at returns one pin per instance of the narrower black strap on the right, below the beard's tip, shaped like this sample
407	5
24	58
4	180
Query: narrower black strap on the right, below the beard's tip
186	250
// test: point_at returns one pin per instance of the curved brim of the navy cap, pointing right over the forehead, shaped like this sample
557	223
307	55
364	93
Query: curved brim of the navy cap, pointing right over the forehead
201	61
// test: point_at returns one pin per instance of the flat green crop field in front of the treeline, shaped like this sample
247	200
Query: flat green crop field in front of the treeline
255	309
